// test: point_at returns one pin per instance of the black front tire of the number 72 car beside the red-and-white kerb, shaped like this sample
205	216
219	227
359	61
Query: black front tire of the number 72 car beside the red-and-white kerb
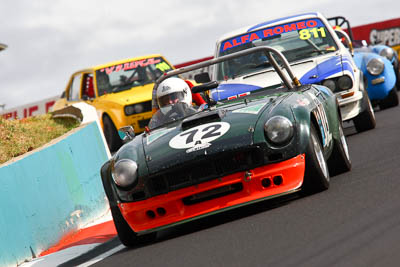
125	233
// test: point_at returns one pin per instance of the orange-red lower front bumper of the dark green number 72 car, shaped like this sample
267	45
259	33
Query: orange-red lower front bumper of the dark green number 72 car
215	196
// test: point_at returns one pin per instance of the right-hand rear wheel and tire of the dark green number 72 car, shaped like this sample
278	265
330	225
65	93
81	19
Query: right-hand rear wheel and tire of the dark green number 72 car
339	161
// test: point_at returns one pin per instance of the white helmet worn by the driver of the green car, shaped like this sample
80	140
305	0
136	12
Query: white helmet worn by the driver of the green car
171	91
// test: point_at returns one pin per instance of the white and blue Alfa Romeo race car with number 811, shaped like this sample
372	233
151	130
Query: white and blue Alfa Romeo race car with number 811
315	53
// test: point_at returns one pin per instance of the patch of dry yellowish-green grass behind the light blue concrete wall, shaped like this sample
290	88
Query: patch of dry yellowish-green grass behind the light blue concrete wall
20	136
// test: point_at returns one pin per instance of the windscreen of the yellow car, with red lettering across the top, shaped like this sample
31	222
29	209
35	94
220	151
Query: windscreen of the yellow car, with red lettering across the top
124	76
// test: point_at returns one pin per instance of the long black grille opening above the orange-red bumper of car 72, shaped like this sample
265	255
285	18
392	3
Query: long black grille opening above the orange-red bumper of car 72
204	170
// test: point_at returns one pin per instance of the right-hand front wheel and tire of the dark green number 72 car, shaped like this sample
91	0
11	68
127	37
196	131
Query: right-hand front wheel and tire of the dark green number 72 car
316	176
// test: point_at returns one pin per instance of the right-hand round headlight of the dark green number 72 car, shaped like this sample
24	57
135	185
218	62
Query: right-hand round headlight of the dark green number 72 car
278	130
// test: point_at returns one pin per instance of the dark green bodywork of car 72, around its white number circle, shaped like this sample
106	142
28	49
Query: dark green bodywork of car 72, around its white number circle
297	105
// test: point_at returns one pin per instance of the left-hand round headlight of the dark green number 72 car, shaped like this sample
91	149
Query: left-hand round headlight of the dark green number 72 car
125	173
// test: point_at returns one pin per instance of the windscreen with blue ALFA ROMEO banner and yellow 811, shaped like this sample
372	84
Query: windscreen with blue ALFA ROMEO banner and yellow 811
296	40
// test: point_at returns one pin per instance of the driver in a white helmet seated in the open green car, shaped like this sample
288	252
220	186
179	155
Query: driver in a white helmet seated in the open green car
174	99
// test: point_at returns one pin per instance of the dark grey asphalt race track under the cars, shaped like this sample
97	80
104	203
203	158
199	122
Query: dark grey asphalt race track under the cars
354	223
